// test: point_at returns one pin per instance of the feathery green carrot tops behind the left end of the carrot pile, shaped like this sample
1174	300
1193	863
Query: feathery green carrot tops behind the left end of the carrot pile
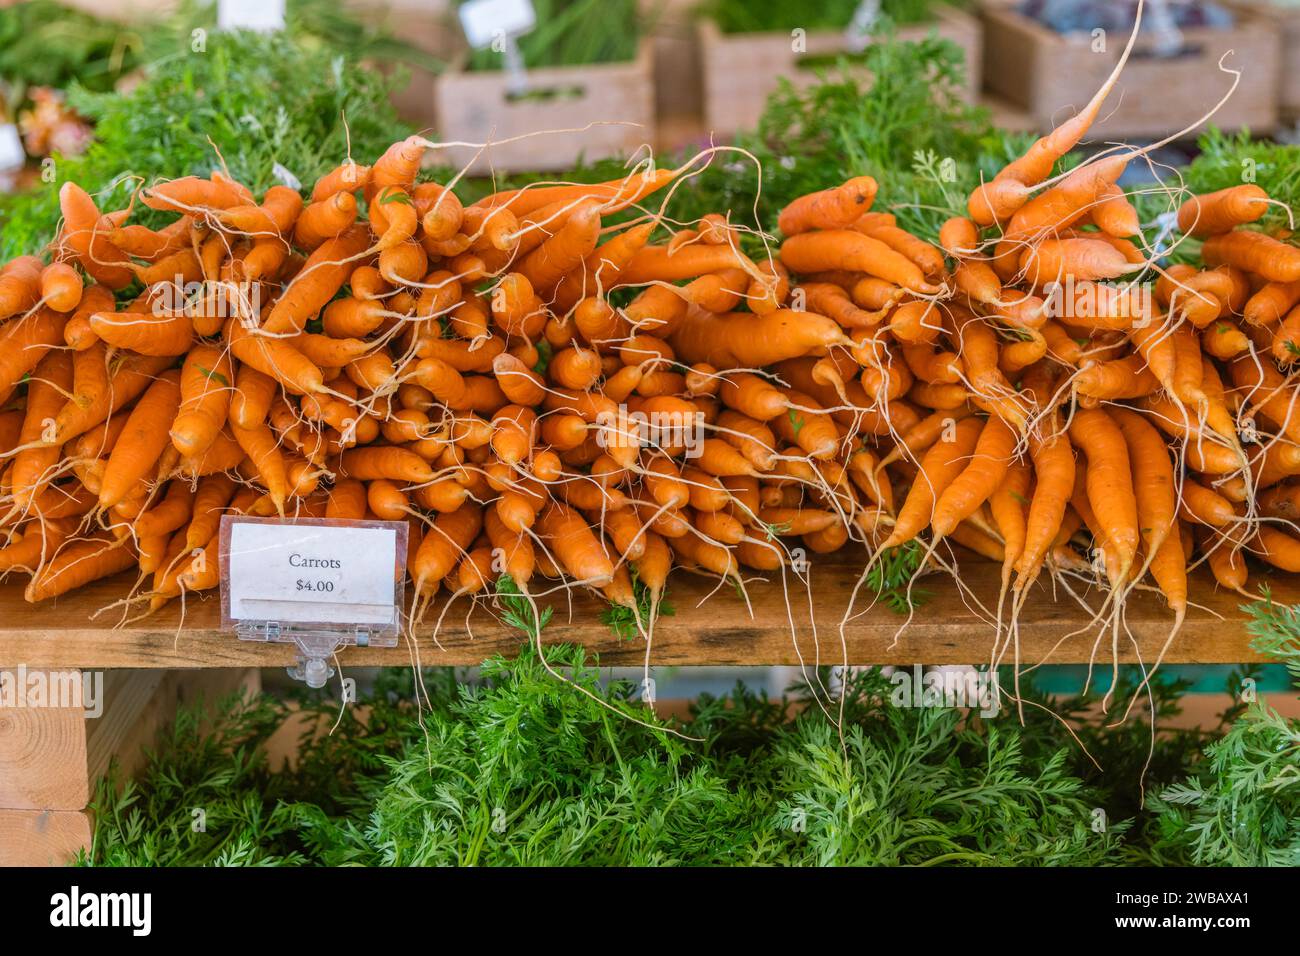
252	101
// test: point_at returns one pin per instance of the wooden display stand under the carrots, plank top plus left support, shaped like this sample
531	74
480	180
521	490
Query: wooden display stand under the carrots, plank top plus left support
50	758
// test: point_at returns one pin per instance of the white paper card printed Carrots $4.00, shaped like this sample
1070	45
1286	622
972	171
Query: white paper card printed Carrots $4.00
314	574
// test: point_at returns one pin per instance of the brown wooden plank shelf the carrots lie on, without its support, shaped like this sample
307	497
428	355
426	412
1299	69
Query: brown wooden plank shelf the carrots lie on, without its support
721	631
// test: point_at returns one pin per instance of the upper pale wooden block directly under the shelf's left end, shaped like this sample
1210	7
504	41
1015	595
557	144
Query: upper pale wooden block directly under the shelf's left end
44	752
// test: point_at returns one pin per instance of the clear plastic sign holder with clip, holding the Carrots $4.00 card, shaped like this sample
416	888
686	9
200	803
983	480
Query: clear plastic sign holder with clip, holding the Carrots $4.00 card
318	583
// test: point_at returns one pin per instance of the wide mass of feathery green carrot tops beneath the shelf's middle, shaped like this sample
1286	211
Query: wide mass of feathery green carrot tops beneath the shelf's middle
519	768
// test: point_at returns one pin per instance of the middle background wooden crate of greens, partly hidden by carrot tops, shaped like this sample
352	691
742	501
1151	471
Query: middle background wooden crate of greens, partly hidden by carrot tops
742	71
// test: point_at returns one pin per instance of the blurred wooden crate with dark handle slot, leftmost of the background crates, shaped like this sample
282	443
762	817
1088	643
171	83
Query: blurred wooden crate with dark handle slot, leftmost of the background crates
608	107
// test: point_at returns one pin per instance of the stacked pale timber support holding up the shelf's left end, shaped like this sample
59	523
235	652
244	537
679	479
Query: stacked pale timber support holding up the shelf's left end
53	756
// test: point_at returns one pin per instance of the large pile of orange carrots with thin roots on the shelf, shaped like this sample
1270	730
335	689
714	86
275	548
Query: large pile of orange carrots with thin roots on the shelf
487	374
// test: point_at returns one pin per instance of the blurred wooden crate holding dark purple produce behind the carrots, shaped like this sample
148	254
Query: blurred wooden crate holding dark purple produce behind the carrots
1052	75
